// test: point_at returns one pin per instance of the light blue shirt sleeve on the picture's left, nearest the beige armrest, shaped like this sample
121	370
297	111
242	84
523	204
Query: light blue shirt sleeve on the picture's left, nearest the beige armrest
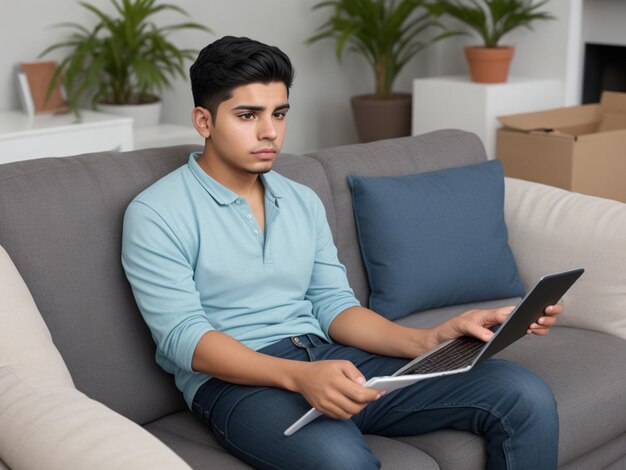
162	280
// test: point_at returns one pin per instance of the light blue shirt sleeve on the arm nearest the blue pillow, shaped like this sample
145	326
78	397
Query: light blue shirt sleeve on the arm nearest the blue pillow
329	291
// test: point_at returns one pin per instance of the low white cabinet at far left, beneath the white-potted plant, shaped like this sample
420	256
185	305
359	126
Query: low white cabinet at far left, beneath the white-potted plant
55	135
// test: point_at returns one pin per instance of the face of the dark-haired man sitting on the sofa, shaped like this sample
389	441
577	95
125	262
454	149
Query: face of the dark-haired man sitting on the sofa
248	131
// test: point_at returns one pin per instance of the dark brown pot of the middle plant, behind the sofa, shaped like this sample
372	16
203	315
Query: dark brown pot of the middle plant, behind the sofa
378	118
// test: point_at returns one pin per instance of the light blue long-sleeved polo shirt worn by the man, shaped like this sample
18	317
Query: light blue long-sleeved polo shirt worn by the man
198	261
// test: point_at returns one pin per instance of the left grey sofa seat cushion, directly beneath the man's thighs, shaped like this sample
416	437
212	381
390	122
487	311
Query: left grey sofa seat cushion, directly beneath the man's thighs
190	439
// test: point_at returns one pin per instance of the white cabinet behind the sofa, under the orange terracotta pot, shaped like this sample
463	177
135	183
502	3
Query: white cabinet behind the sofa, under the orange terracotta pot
457	103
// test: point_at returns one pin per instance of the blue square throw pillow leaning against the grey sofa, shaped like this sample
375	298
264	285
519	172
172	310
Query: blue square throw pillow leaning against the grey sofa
435	239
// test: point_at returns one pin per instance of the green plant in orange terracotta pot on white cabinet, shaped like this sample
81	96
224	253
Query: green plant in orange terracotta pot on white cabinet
492	19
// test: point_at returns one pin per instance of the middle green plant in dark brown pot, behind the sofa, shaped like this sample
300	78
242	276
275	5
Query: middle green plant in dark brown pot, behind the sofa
388	34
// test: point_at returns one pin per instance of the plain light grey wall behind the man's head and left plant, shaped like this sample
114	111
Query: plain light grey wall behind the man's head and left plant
320	115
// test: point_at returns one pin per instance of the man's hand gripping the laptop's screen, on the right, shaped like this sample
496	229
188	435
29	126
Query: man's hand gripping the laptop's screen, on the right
477	323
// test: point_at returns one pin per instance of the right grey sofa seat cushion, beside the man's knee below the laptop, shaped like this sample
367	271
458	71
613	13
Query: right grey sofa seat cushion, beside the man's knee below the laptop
591	402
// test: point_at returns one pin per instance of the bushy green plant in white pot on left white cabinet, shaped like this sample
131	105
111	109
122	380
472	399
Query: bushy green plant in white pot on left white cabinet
123	62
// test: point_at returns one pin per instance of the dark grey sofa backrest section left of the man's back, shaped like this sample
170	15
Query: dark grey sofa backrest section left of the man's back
60	221
